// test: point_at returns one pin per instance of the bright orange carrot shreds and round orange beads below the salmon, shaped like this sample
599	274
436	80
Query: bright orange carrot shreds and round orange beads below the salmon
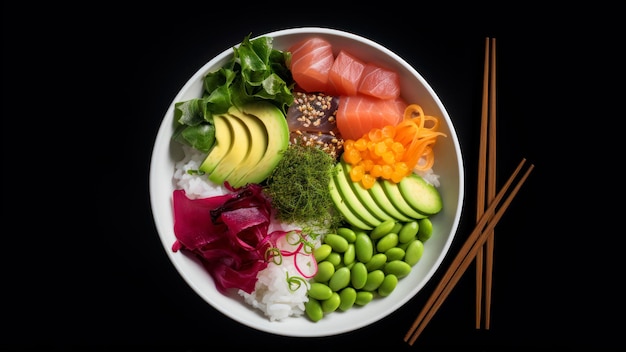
394	152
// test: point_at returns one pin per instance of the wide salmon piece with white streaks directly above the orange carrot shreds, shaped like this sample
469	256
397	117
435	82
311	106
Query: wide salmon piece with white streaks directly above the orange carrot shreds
359	114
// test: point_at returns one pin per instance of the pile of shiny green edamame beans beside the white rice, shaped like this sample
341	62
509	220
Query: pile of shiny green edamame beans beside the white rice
355	266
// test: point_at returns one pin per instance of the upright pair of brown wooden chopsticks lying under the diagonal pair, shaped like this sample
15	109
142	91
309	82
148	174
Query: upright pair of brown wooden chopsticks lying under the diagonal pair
487	145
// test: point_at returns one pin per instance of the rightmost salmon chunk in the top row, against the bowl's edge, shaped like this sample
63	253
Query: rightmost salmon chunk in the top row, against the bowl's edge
379	82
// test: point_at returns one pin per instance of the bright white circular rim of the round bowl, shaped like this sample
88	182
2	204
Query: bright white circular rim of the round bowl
163	225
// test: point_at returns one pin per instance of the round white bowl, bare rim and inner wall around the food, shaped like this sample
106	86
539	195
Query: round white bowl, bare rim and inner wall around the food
448	164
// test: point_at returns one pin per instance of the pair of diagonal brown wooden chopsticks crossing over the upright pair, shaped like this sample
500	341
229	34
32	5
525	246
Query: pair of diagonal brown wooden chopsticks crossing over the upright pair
467	254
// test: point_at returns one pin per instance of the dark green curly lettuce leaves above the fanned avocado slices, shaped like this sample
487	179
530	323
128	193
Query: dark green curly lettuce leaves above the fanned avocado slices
256	71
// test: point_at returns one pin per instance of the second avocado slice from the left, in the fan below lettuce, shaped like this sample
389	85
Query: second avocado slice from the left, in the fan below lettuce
238	151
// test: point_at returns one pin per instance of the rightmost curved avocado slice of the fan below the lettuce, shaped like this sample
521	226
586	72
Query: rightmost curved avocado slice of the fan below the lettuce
277	139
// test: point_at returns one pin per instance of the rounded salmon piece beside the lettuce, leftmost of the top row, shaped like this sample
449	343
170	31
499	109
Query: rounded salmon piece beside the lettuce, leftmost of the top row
311	60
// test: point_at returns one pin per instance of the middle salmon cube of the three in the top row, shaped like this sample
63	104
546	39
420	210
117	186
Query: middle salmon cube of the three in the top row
345	74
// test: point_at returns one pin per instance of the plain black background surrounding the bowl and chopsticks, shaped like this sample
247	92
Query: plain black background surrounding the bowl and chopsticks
85	89
